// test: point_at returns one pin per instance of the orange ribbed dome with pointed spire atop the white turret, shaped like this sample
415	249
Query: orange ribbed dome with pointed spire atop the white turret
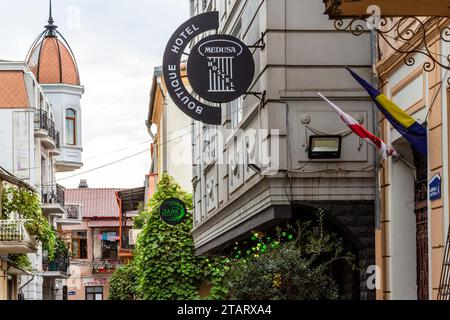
51	59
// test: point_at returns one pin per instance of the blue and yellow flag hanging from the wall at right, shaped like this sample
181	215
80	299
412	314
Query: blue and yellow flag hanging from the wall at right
414	132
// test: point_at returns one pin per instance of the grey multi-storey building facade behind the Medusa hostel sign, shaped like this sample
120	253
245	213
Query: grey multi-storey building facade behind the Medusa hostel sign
266	175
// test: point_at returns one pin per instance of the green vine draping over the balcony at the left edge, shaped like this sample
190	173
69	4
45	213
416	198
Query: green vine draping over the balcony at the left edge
27	204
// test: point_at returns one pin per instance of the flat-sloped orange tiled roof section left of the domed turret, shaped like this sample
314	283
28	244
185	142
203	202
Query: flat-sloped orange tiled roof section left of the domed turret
13	93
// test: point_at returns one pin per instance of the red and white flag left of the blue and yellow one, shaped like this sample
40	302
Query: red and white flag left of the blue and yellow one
362	132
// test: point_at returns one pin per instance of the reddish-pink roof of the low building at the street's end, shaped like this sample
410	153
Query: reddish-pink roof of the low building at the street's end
96	203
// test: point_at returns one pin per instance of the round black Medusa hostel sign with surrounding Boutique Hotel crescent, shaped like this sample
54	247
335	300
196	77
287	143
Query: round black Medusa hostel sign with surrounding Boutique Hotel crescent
220	68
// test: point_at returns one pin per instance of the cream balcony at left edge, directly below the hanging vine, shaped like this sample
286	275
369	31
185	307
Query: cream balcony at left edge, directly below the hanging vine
14	237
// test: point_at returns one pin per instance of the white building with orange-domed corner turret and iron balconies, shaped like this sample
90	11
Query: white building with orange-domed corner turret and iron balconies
40	117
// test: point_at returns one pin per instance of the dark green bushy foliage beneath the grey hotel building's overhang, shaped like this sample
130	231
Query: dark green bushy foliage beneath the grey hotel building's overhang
287	269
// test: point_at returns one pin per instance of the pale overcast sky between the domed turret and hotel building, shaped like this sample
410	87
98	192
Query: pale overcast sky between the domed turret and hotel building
117	43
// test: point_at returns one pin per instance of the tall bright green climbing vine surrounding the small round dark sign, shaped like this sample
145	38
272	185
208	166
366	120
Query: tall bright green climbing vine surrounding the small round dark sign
165	264
